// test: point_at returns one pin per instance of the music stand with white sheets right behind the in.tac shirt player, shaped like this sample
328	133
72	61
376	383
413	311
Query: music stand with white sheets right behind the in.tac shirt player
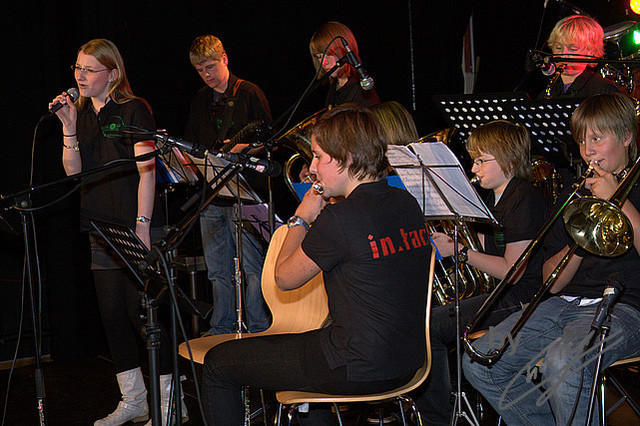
434	176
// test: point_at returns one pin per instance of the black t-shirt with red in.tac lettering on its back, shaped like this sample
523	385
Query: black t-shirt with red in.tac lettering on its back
373	250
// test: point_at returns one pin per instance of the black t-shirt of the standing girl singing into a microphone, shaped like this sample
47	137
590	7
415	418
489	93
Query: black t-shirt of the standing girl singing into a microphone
111	195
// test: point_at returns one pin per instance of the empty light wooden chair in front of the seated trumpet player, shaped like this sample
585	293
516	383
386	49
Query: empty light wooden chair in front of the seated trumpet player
294	311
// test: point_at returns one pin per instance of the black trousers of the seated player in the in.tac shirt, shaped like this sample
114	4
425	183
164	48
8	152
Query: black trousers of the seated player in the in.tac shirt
279	362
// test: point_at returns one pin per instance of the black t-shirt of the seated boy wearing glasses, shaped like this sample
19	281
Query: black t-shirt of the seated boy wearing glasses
521	212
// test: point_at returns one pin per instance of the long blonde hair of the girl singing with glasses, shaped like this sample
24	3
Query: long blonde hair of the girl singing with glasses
106	52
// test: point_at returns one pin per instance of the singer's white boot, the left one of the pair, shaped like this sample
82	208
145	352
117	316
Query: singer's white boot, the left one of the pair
133	406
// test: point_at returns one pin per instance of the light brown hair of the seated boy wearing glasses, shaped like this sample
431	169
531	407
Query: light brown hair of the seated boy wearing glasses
508	142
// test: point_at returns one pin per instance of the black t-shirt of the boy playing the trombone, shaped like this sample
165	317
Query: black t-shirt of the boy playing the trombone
590	279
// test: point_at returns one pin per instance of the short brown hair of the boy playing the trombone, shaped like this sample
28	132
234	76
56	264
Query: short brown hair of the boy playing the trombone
612	112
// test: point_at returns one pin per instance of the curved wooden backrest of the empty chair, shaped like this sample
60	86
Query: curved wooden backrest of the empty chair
293	311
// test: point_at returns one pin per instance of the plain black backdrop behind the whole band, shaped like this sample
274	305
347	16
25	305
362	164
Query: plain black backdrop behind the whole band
267	43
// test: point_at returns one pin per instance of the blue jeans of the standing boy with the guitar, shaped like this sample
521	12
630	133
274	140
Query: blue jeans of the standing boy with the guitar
217	227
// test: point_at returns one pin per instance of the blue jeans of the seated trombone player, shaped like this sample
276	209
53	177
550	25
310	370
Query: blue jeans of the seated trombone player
556	332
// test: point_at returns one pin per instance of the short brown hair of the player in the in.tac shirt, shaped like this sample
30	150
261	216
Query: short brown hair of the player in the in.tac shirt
353	131
